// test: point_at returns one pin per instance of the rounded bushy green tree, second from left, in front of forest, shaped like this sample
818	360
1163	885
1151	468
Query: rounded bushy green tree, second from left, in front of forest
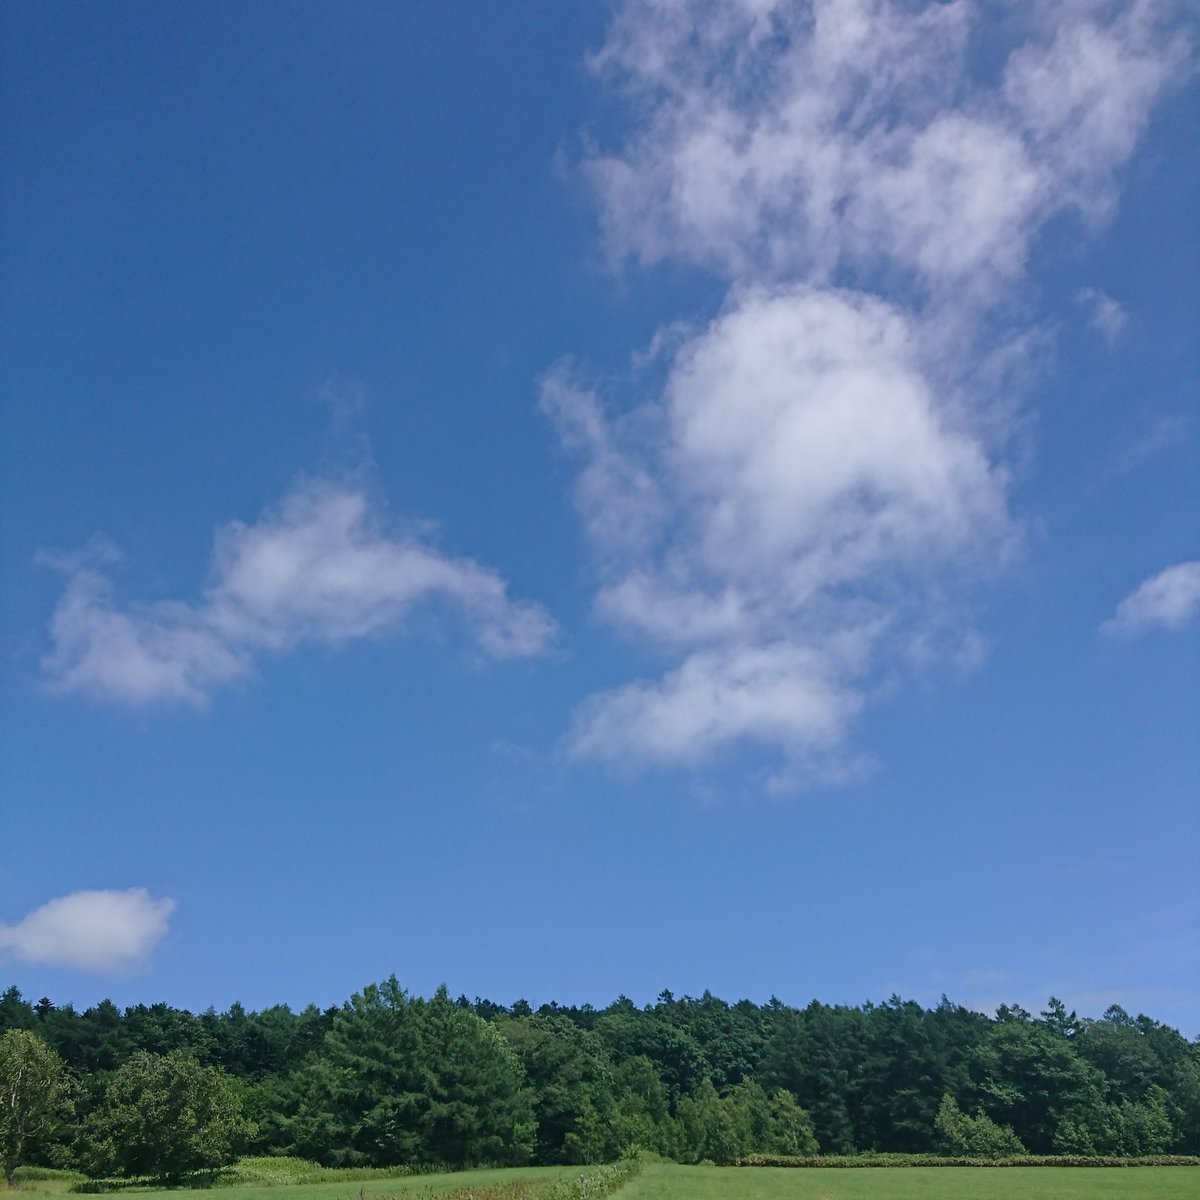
166	1115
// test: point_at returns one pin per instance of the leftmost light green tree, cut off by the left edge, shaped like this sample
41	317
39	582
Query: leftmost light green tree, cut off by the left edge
35	1093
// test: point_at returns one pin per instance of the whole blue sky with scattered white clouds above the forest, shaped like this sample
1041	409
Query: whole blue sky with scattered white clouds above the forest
580	500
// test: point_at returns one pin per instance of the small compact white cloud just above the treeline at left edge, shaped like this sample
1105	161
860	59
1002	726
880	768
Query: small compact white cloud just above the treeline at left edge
103	931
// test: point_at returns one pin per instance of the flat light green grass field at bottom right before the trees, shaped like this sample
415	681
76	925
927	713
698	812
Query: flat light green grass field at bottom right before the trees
670	1183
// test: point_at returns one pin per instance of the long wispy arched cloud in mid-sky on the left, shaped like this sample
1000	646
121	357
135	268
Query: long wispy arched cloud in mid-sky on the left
317	568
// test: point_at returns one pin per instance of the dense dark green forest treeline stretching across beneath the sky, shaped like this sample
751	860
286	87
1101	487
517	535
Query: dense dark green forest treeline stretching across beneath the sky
389	1079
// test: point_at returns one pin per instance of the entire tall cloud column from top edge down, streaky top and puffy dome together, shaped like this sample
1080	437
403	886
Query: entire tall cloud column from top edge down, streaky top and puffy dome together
791	519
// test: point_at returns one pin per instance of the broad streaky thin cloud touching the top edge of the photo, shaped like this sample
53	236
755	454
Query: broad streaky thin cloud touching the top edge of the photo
781	139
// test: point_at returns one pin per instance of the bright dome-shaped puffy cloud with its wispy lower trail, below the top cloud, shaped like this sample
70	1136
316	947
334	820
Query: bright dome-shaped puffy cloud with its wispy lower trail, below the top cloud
817	494
